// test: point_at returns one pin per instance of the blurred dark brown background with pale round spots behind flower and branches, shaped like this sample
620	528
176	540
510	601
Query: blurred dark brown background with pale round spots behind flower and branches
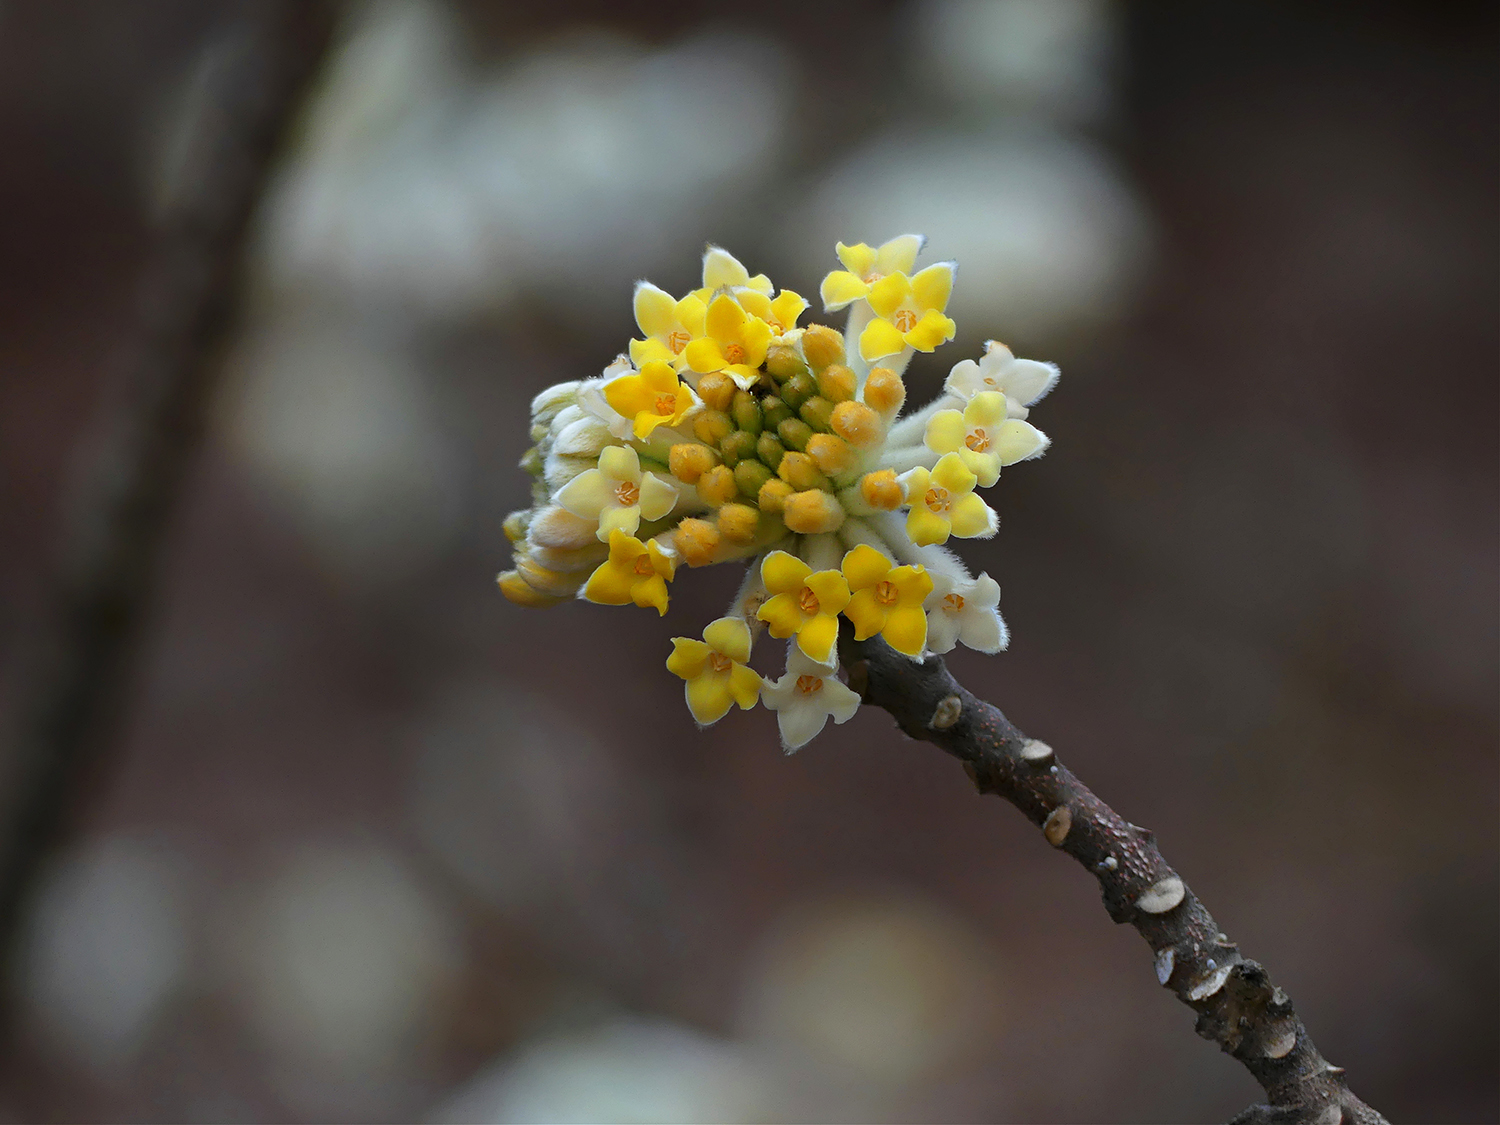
377	845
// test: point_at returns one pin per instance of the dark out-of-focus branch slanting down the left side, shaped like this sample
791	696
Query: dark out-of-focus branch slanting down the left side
247	94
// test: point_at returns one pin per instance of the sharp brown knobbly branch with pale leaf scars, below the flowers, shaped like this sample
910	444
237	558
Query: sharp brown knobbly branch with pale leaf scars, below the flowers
1237	1004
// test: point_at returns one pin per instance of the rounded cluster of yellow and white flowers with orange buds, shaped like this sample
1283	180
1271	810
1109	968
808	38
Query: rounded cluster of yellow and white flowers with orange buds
728	433
